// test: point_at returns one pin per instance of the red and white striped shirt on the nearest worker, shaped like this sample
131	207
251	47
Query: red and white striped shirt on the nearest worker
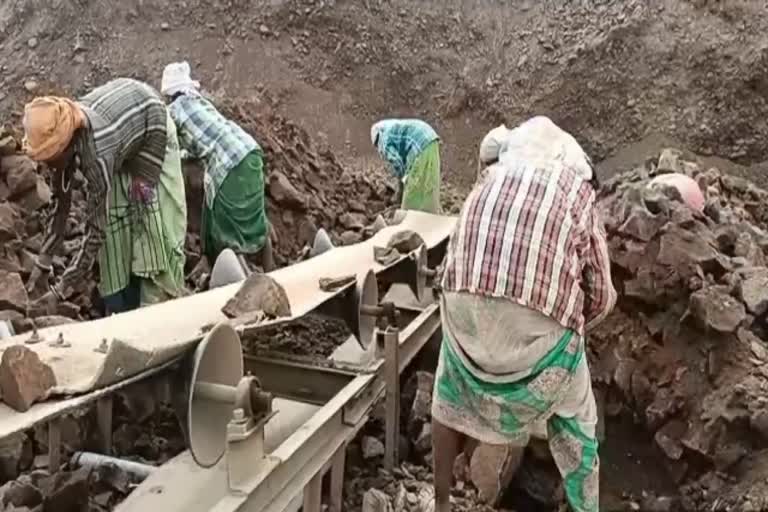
532	234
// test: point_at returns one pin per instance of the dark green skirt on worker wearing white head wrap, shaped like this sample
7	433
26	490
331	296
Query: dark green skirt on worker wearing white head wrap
238	218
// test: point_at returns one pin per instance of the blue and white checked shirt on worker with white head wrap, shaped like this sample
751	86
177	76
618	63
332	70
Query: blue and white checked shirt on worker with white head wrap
208	136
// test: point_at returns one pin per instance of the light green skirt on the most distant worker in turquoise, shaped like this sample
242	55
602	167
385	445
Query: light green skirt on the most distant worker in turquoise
422	184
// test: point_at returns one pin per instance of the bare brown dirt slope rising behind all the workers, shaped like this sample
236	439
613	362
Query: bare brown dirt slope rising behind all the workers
611	72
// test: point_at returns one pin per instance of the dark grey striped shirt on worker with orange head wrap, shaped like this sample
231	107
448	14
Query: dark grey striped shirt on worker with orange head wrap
126	133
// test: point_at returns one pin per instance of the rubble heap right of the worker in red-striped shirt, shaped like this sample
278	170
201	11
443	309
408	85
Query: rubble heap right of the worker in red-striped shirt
685	350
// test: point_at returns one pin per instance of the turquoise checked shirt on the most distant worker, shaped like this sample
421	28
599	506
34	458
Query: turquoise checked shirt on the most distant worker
401	141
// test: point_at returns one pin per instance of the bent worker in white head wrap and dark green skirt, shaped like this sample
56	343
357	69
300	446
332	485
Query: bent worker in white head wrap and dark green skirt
234	209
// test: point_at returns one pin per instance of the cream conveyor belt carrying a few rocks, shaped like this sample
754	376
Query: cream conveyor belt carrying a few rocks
153	336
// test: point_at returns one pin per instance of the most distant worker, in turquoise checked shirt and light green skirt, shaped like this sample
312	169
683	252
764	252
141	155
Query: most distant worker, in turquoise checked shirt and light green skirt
412	149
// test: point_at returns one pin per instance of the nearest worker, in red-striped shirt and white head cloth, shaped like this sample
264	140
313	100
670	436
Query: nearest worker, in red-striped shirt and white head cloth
527	274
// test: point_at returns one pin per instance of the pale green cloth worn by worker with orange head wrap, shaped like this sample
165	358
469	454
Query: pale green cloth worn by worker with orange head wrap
147	240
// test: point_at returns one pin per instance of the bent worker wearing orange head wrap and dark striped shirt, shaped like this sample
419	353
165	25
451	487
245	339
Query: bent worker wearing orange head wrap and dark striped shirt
123	143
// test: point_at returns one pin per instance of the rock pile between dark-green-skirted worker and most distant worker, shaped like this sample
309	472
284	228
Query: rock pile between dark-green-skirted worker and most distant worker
308	187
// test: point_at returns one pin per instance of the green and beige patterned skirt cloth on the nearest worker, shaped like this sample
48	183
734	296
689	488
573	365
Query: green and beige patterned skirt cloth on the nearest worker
510	408
